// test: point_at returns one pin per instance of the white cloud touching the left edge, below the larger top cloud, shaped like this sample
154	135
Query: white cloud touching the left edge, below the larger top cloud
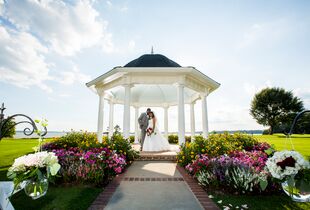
22	61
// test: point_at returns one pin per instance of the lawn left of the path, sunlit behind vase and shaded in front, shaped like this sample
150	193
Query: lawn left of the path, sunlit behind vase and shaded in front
57	197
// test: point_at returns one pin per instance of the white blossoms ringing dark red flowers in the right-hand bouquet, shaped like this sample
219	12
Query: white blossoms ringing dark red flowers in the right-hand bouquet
279	173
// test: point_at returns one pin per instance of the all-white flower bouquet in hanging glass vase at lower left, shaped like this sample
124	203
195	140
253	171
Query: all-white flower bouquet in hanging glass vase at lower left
32	171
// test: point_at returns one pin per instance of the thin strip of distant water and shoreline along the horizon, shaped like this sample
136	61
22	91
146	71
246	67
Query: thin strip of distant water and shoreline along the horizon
52	134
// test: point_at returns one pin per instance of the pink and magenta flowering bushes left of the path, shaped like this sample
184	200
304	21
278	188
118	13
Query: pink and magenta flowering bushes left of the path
94	166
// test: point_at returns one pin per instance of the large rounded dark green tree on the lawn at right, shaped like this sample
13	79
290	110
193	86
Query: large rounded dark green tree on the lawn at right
275	106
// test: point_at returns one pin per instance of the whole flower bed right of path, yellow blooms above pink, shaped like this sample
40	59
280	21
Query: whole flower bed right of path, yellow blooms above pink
230	164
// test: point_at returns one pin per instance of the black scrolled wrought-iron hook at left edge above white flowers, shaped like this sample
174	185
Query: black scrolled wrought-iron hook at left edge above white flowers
27	131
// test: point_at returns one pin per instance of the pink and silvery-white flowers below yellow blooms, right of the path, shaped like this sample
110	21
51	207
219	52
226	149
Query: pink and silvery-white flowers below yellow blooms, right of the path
240	171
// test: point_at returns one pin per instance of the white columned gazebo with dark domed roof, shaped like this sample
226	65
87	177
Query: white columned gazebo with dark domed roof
153	80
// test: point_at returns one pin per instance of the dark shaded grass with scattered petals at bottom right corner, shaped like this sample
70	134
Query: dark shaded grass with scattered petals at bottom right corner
260	202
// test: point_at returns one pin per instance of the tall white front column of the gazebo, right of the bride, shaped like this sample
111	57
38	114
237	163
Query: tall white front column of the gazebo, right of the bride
181	114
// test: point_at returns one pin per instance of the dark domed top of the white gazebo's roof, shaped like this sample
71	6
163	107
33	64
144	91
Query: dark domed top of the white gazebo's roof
152	60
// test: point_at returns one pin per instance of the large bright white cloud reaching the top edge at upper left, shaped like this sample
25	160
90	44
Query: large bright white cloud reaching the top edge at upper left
66	28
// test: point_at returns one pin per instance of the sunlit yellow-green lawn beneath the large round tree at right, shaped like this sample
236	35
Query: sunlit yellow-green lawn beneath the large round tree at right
301	142
